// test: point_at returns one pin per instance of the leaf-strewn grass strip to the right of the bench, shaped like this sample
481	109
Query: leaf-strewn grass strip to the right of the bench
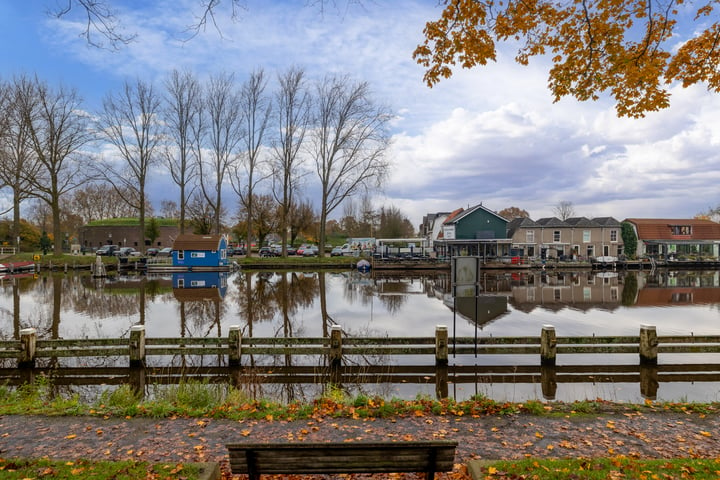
603	468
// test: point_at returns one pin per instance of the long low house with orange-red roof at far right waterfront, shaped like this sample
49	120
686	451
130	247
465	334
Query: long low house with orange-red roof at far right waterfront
663	237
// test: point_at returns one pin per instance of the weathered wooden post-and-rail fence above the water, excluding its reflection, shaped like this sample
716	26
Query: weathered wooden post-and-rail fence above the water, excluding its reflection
337	348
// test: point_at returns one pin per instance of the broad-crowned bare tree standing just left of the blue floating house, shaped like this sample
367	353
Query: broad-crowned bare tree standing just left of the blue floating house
129	121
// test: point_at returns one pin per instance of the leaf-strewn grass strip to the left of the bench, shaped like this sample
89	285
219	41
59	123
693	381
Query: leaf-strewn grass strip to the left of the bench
20	469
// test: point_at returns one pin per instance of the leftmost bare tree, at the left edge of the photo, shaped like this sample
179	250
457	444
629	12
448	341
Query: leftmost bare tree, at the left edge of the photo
18	162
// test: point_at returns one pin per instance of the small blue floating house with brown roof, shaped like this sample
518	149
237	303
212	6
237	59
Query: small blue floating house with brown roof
200	251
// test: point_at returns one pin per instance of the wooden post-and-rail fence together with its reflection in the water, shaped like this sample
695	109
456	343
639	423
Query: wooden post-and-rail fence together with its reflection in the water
338	359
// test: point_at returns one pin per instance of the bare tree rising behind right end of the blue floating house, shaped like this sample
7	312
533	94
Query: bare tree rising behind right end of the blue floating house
224	132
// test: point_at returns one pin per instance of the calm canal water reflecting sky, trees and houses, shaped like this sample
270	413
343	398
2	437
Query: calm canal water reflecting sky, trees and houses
280	304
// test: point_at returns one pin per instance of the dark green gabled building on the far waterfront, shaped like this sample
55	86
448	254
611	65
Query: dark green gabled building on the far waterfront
474	231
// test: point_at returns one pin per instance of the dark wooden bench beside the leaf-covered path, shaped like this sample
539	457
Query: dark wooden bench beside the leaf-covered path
255	459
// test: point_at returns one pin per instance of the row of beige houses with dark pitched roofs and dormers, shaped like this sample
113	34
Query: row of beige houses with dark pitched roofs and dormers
574	237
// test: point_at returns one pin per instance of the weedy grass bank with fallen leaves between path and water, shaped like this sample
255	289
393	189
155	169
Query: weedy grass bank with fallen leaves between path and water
199	399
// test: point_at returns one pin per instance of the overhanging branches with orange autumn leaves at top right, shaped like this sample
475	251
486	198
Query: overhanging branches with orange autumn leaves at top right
634	50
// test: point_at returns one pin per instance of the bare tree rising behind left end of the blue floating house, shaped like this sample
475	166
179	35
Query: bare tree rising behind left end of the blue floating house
182	112
